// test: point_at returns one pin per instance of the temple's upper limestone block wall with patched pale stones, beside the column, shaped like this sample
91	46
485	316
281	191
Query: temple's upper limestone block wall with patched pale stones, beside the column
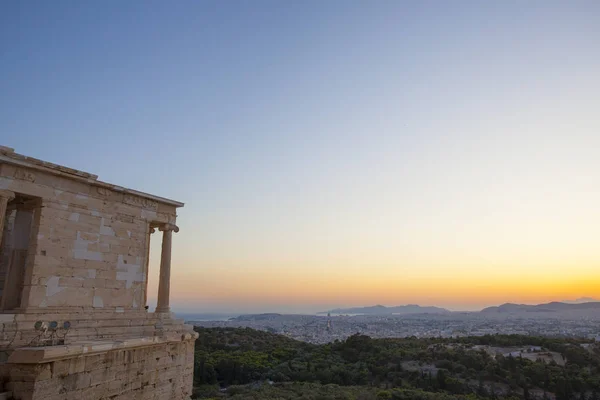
91	245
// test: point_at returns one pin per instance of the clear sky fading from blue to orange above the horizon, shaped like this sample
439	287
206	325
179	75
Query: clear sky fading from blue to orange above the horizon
330	153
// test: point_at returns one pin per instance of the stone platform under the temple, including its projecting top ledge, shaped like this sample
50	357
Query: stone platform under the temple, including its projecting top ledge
136	368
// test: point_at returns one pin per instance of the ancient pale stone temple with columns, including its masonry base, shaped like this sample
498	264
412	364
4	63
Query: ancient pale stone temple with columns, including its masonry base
73	286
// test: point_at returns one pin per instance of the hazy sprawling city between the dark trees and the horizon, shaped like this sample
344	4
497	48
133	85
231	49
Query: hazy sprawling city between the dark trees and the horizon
320	329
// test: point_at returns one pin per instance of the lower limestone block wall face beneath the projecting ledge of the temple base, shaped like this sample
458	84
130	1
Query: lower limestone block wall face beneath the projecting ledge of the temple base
152	372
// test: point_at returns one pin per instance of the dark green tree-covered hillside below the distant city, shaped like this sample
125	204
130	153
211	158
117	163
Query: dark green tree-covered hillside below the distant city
260	365
